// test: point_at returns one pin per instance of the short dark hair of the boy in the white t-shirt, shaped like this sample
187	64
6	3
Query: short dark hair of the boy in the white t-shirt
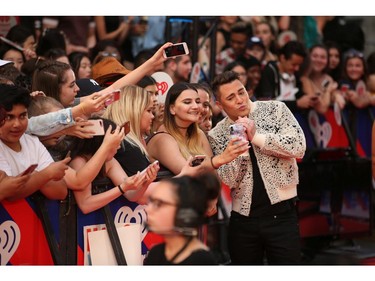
11	95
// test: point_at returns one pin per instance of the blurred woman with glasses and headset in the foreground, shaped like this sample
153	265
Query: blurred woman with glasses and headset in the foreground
176	210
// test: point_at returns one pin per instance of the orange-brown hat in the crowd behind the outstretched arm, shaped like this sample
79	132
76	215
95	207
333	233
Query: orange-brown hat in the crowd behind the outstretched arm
108	70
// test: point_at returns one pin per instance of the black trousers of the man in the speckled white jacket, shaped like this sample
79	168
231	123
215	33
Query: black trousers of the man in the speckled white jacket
276	238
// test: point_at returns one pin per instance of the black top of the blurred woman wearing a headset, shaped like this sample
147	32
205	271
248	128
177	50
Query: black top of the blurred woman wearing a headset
156	256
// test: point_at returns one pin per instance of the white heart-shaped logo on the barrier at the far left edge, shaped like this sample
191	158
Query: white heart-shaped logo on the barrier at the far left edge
10	237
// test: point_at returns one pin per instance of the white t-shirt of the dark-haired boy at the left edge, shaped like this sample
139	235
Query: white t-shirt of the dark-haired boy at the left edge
32	152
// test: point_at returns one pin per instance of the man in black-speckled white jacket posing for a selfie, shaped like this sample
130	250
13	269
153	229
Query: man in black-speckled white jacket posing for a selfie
263	225
